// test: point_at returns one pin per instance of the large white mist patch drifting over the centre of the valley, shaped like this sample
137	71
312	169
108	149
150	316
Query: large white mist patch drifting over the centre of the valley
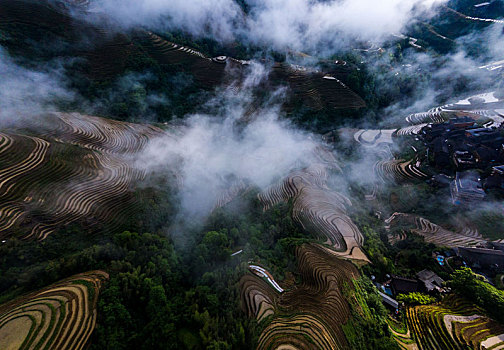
212	151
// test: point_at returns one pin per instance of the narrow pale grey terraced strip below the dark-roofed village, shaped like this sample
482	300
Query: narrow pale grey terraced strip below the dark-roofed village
433	233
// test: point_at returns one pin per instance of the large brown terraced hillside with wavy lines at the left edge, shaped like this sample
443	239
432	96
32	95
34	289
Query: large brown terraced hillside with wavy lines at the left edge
67	167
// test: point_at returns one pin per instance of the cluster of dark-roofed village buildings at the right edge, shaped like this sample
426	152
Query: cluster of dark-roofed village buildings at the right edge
474	154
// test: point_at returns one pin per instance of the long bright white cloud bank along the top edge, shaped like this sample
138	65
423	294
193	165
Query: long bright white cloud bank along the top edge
313	26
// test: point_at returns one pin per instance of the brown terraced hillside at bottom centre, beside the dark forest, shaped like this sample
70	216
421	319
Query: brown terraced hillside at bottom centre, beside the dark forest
308	316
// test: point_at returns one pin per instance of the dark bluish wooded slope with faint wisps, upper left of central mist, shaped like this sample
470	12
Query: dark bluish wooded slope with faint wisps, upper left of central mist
144	91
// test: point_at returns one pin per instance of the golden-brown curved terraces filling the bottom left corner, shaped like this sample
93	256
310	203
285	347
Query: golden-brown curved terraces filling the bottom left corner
61	316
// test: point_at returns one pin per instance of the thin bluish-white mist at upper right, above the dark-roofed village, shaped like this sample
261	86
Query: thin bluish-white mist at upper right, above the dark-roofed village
419	80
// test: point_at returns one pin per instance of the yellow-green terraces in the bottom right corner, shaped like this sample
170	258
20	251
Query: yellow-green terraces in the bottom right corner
453	324
